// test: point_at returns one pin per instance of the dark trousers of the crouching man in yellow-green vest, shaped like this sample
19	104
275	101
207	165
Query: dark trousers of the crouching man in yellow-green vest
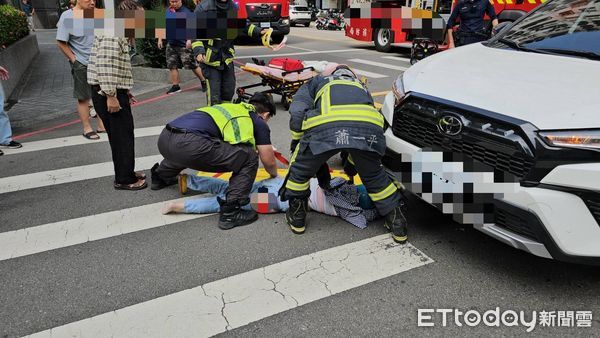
187	150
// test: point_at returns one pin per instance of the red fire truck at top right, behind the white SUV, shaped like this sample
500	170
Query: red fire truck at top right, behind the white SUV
398	22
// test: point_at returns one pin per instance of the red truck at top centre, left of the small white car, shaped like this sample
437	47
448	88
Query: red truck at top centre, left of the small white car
266	13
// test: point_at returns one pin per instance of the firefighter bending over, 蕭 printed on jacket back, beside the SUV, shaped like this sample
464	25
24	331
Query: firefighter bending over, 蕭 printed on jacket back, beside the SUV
333	114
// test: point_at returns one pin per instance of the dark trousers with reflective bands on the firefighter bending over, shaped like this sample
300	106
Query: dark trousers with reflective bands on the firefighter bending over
368	165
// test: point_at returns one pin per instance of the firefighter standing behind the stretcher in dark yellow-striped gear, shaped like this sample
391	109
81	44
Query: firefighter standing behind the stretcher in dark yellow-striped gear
216	55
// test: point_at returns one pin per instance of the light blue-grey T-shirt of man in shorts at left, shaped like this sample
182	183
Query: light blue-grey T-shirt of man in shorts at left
78	34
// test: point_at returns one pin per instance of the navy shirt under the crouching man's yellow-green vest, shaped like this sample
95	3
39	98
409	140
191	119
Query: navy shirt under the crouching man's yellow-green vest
202	124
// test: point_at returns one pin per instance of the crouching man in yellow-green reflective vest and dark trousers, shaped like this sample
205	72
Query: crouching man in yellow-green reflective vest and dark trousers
220	138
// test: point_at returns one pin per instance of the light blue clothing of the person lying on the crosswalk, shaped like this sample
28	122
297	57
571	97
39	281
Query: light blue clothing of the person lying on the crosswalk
216	186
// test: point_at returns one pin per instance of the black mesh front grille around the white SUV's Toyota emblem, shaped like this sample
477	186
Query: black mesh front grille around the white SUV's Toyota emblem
491	143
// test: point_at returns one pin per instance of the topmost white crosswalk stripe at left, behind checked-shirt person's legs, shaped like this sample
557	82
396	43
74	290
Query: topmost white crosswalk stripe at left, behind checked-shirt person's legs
75	141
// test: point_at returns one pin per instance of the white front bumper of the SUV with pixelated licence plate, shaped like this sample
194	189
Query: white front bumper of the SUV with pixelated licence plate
558	218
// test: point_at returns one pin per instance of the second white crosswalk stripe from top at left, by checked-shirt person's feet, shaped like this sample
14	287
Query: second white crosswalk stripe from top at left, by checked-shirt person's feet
67	175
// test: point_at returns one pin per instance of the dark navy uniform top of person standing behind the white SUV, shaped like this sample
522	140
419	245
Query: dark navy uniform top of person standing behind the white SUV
471	14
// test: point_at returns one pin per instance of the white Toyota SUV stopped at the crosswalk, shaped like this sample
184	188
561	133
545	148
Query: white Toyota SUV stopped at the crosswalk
505	134
